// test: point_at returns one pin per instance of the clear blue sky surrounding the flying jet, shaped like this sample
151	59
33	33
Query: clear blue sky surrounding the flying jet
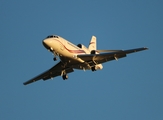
128	89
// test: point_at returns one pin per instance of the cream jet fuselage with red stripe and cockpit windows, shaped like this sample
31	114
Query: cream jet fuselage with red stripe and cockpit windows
66	50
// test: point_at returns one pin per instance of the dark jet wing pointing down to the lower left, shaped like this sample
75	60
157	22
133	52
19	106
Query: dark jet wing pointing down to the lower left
51	73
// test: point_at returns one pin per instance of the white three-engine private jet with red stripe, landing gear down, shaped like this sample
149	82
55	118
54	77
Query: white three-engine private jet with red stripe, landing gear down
77	57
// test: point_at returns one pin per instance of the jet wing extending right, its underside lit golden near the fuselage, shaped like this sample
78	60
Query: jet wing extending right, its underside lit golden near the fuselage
93	59
